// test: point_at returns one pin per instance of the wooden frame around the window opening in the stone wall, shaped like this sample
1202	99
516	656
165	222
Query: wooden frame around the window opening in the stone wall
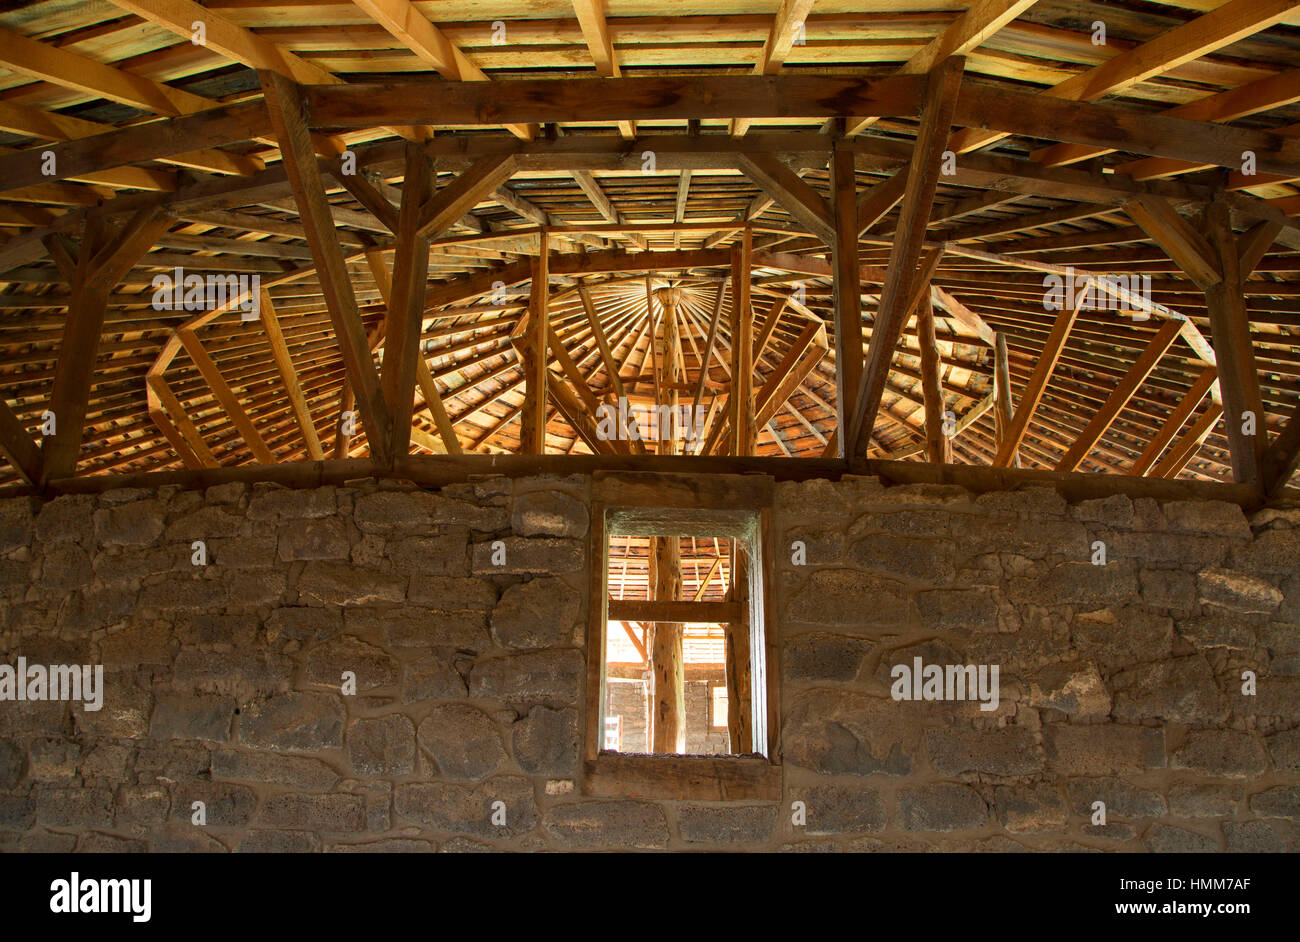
736	506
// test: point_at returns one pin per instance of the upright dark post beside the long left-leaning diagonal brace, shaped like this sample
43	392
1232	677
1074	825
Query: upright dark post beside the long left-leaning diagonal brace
405	318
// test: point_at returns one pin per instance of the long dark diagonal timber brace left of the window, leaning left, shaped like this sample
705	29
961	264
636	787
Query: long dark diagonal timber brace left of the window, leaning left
285	106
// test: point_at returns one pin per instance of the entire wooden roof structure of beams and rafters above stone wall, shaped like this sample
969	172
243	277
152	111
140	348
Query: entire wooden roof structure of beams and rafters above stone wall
457	228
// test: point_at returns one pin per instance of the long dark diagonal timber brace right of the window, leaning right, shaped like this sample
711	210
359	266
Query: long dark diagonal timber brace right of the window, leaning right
942	94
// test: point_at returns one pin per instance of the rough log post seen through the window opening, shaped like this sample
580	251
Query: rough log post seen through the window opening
669	718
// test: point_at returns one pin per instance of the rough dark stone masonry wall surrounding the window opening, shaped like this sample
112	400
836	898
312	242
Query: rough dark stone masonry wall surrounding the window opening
1120	684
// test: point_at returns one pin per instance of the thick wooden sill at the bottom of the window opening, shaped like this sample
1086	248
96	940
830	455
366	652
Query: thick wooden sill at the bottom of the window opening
710	779
